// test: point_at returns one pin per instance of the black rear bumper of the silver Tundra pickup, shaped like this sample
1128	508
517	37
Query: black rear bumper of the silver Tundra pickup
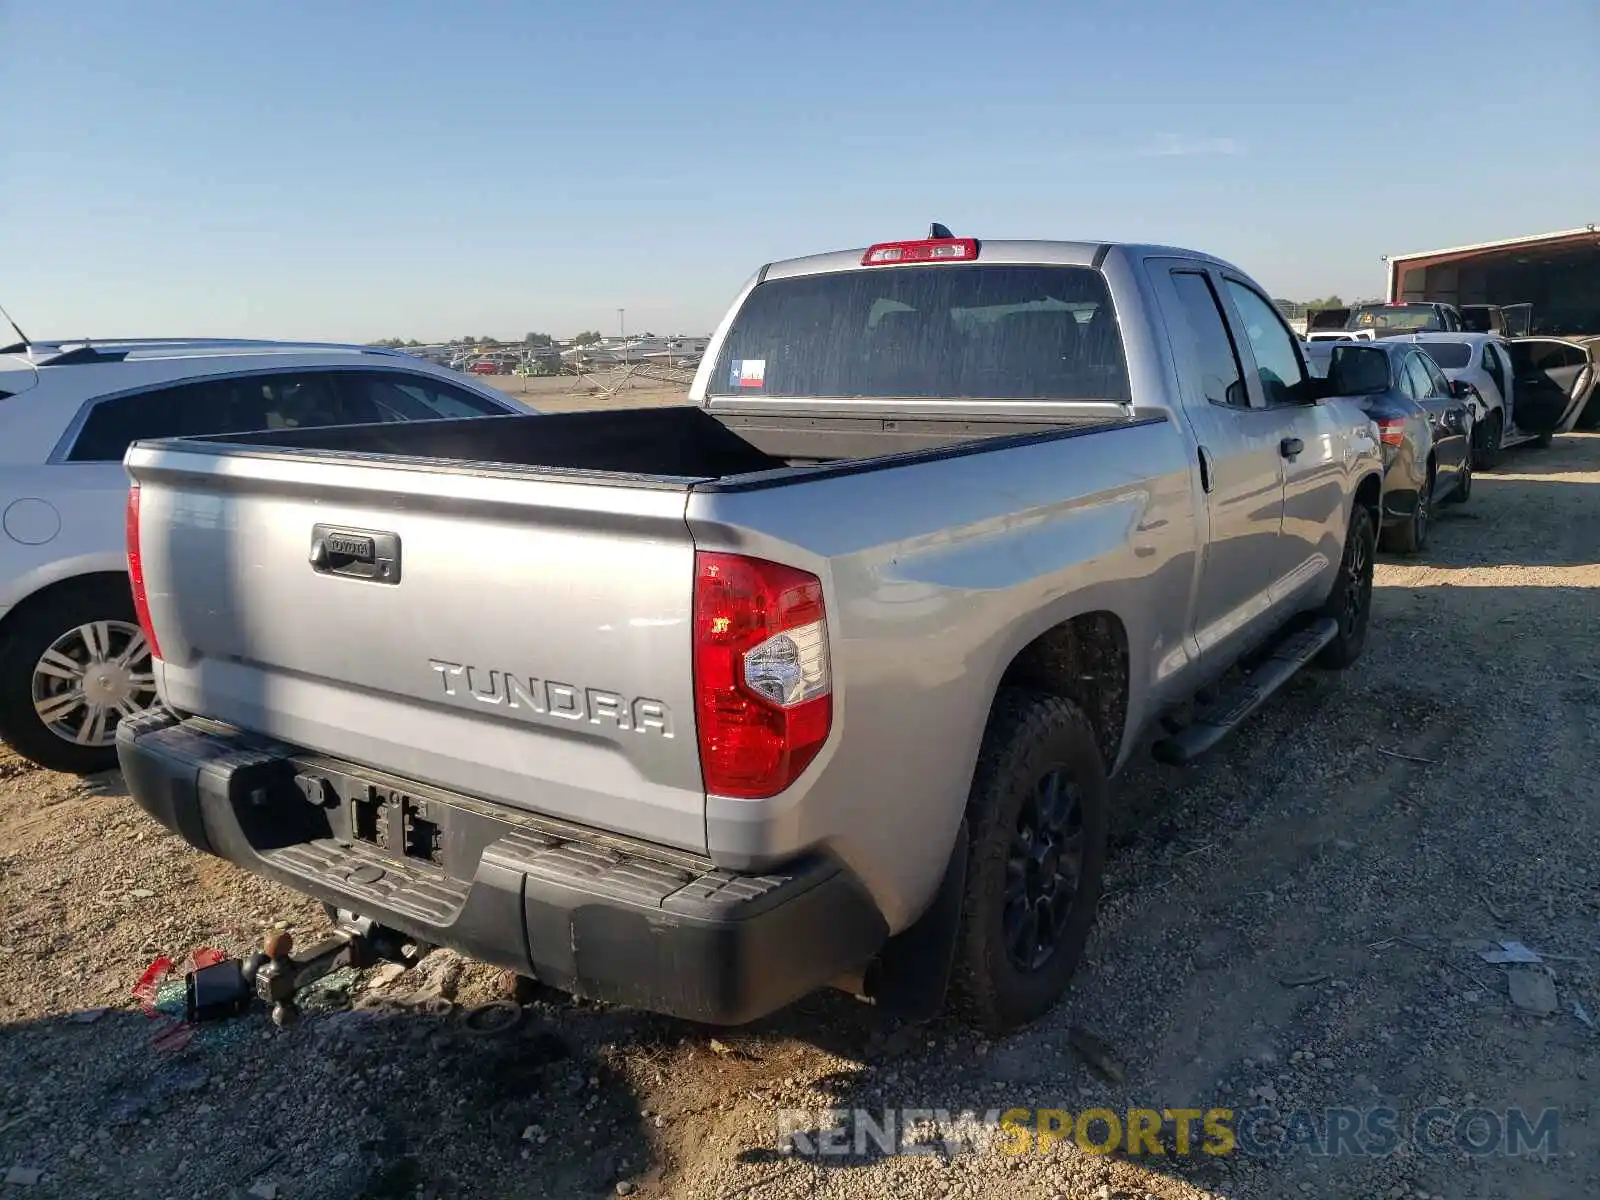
582	911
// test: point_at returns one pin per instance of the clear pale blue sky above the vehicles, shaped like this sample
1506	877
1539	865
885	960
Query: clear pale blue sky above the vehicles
428	170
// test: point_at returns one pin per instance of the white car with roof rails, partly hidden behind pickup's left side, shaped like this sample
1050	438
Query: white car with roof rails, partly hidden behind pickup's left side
73	662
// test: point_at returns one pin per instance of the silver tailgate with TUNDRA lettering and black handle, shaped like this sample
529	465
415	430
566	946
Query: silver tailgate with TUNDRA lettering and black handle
514	638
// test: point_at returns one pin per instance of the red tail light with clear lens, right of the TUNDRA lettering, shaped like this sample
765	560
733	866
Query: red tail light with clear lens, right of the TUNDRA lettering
764	692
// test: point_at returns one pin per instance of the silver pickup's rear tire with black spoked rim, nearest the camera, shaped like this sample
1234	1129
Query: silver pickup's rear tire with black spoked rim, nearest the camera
1036	860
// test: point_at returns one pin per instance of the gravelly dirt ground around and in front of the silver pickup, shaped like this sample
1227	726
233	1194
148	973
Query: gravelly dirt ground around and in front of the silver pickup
1297	924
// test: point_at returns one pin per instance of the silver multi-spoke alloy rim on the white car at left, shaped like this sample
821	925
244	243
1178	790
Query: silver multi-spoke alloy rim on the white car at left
92	678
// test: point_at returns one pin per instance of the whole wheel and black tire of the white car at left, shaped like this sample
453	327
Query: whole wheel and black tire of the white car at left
73	658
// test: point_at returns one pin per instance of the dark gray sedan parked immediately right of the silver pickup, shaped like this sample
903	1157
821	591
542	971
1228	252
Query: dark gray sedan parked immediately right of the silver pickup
1423	422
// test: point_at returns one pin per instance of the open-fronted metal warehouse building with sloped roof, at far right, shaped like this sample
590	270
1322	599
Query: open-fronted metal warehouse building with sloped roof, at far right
1556	273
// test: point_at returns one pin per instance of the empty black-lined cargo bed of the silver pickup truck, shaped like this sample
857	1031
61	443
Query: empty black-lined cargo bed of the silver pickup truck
668	446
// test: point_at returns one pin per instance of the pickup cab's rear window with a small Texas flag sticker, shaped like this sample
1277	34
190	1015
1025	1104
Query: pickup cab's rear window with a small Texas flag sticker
929	332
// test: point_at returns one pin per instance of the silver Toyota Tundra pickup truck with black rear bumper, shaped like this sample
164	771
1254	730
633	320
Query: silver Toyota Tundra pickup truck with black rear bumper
817	679
